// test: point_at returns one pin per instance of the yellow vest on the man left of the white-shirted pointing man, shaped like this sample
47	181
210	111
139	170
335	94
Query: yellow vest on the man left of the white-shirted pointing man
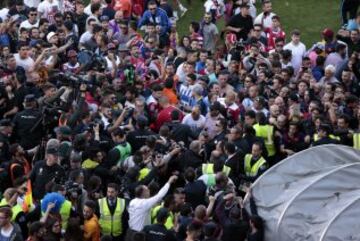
111	224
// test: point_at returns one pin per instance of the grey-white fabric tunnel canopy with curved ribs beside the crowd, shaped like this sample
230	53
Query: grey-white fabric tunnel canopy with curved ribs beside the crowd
313	195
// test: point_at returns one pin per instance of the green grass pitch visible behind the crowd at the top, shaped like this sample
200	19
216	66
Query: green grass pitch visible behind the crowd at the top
309	16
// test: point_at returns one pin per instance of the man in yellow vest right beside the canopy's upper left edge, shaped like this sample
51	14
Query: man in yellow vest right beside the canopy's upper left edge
254	163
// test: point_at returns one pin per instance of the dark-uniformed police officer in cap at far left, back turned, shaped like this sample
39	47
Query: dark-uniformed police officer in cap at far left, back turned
27	133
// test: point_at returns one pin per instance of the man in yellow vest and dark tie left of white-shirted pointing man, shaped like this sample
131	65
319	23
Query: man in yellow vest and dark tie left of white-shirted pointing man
113	216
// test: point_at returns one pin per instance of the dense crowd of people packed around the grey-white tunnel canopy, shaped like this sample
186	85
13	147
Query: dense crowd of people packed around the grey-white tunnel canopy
114	126
